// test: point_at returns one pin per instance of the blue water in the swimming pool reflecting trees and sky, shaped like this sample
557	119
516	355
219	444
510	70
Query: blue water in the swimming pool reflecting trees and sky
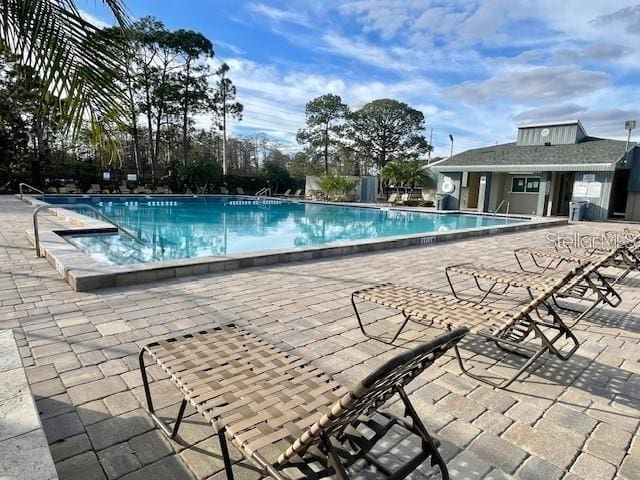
186	227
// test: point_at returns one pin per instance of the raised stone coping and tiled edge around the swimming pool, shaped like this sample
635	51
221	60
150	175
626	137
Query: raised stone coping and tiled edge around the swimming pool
83	273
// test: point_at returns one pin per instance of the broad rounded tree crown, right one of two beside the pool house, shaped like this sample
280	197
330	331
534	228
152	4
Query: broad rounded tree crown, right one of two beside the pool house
387	130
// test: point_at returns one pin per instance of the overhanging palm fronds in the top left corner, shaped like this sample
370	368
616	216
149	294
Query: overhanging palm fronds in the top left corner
70	56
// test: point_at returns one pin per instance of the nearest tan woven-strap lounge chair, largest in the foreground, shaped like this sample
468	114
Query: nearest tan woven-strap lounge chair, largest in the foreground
283	414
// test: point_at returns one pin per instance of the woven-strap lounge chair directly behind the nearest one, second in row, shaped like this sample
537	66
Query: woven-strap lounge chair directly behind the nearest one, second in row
509	330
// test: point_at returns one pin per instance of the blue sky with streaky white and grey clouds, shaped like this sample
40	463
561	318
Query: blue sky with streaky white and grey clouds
475	68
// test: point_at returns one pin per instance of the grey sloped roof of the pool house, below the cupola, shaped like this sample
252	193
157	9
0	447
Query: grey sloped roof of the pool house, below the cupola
591	154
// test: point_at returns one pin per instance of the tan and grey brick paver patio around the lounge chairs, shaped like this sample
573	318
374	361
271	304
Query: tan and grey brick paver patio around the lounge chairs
573	420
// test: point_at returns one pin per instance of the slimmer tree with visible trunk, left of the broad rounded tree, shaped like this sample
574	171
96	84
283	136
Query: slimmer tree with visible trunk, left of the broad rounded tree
325	116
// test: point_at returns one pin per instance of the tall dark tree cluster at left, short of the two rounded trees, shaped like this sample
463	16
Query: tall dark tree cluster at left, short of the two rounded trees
169	81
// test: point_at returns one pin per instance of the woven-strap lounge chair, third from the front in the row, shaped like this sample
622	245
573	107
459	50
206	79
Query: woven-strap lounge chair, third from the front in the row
591	286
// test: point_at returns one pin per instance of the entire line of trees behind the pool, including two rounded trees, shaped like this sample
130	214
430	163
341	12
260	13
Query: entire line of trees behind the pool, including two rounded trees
170	83
